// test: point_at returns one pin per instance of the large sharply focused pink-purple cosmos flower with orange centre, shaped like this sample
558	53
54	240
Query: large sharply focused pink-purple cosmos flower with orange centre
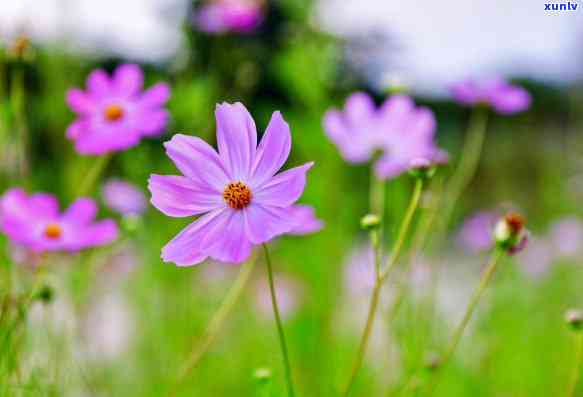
241	200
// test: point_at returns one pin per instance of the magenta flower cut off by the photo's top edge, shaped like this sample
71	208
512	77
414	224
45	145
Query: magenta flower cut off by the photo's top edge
220	16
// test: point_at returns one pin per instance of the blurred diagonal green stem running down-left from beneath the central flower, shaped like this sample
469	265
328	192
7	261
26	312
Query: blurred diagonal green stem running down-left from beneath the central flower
215	325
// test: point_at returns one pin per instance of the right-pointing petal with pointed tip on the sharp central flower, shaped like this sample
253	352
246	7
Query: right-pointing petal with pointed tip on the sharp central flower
284	189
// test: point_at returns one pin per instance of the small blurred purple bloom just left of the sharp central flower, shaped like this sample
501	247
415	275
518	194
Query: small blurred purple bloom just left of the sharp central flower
123	197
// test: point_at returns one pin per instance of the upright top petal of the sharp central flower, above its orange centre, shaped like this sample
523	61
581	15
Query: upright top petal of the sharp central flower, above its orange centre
236	138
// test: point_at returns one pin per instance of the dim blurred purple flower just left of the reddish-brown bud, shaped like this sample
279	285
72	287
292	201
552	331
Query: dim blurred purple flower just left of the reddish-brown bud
476	232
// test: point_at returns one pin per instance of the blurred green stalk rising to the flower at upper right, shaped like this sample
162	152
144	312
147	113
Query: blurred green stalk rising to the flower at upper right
467	166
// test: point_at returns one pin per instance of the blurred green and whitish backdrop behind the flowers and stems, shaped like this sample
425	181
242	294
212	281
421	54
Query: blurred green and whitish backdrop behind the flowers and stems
122	323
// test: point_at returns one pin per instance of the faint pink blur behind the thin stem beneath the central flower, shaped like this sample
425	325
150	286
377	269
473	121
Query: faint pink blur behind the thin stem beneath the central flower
288	292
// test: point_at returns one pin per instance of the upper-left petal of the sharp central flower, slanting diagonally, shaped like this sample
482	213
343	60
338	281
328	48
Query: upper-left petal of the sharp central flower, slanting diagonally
197	160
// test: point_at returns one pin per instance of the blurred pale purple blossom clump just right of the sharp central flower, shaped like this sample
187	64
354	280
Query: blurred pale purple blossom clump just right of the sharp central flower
400	131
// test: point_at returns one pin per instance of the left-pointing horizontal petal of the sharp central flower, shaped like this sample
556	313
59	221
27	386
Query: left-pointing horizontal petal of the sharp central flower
179	196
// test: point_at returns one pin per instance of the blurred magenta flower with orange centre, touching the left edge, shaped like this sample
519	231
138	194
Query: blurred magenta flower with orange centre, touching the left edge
35	222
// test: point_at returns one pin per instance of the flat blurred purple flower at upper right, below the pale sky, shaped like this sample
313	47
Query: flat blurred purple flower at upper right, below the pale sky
497	93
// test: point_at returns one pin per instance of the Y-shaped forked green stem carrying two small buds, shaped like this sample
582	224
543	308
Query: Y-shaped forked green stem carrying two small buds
381	276
